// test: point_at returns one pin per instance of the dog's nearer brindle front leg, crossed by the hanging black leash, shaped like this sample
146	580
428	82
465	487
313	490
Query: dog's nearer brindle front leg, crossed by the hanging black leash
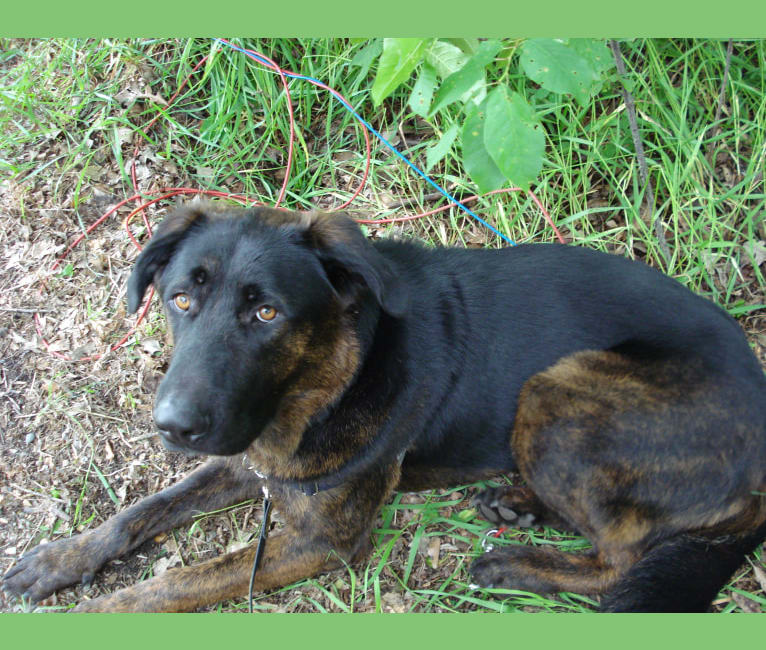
321	533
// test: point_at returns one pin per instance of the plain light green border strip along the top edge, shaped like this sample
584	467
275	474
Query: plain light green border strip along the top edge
657	18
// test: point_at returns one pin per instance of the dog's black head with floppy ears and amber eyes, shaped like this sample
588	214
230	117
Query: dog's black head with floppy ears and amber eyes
262	305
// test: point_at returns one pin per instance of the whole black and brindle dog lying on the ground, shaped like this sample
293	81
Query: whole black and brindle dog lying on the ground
341	370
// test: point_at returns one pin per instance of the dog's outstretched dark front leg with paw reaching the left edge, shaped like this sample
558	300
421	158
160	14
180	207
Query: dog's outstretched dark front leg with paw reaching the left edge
49	567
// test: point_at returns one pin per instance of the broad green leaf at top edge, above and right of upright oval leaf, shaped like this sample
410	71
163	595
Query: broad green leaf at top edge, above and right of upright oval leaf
558	68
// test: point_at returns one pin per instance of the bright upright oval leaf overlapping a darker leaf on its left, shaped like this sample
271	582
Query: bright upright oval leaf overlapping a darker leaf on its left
514	137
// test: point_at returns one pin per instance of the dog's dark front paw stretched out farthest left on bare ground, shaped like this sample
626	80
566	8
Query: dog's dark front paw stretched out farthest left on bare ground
49	567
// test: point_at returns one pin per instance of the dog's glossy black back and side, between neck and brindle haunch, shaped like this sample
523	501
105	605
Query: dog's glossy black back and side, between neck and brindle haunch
509	314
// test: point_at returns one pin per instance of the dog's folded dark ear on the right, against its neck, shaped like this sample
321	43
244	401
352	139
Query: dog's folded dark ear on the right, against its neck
350	260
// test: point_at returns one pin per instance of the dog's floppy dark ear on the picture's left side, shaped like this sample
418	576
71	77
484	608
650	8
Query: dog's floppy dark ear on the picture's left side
157	253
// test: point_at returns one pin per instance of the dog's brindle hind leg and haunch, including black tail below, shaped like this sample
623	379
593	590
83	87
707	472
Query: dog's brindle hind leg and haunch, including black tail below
655	461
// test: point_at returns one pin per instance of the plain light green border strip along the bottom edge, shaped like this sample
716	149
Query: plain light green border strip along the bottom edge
441	631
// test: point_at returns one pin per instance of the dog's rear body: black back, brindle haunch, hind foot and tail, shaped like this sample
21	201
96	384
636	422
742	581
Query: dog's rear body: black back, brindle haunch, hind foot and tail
638	412
